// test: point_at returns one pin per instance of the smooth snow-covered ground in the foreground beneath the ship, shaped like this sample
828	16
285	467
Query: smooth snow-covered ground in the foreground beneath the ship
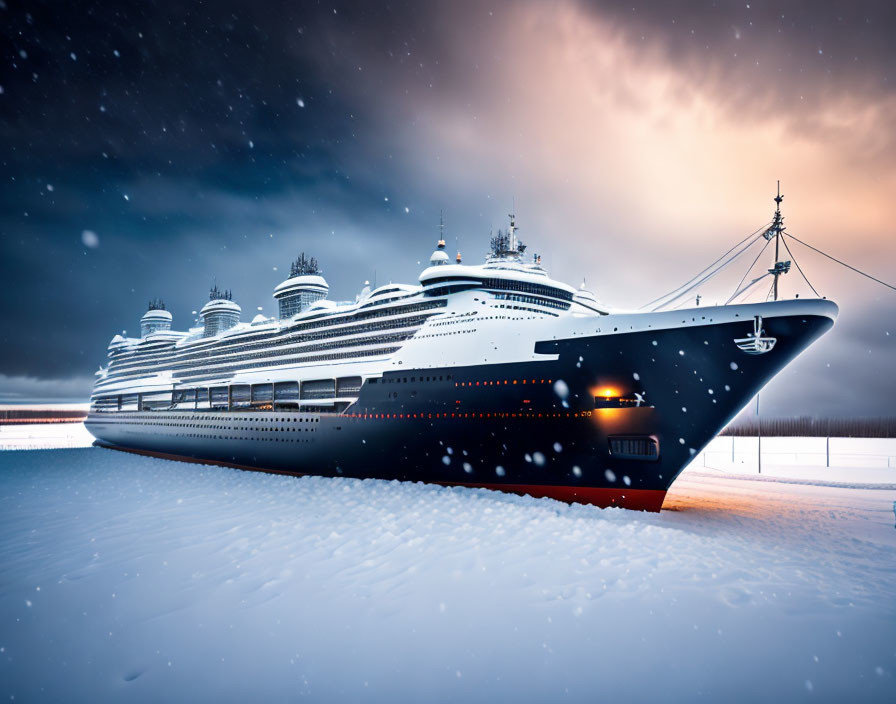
131	578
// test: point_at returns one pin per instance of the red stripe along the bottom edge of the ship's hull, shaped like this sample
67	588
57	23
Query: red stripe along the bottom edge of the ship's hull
635	499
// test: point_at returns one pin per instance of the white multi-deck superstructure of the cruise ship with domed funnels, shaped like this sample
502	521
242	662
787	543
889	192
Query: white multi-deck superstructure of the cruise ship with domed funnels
319	352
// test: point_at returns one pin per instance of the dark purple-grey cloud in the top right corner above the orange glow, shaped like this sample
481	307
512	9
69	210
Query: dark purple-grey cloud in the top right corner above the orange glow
787	49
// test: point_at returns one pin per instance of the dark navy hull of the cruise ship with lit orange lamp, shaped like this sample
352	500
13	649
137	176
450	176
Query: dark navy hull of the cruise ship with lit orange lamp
606	419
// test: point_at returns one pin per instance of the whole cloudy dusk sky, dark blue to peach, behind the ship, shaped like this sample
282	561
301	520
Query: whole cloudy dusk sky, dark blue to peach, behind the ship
150	149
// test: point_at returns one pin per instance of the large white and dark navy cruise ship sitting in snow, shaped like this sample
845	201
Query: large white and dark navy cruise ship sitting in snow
486	375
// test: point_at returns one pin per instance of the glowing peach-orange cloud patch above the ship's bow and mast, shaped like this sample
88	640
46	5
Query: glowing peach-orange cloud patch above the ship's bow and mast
617	154
